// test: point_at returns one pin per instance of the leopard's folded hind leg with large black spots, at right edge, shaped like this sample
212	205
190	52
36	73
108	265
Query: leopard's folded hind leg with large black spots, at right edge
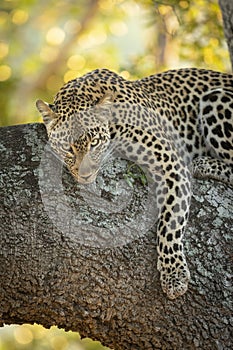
216	119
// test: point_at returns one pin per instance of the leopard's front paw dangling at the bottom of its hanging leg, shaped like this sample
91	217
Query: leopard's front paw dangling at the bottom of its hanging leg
174	279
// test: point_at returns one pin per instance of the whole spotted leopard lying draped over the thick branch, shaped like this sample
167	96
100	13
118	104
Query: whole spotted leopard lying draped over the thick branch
176	125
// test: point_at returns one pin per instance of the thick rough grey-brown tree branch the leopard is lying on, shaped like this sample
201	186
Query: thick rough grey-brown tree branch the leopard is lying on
52	275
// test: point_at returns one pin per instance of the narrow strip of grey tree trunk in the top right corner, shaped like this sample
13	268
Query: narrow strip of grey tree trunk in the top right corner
226	7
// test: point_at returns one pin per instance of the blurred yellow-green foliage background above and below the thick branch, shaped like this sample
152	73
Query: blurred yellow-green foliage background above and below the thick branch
45	43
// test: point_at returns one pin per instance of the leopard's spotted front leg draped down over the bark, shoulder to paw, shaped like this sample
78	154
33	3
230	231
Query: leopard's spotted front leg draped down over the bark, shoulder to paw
164	163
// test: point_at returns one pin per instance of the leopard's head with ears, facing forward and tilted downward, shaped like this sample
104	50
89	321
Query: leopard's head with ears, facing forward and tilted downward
80	139
